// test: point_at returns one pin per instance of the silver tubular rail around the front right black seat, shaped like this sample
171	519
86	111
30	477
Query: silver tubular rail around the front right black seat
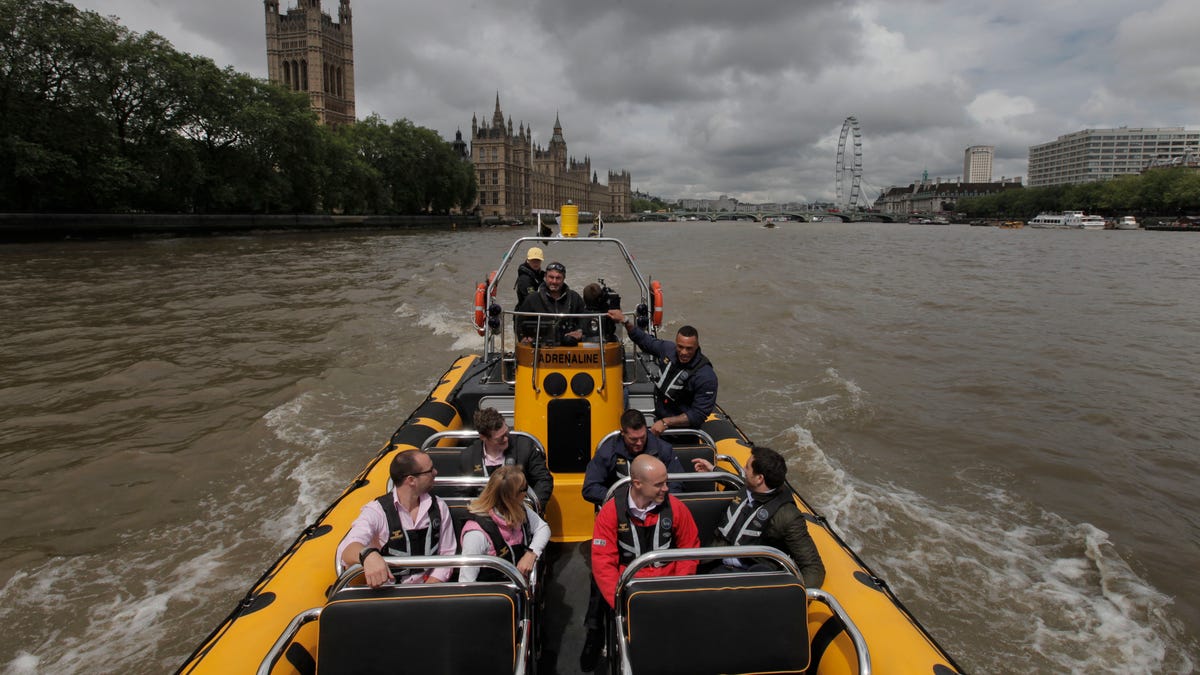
718	553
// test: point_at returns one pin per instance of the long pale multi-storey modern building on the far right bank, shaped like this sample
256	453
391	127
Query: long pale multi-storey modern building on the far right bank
1101	154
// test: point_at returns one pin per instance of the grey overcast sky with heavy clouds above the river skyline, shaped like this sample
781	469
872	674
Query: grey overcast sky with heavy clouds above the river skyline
748	98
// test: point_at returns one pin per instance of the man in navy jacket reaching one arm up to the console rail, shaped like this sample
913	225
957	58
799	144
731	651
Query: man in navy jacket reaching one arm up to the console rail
686	392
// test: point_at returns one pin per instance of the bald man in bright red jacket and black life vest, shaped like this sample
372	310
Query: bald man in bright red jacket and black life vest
639	519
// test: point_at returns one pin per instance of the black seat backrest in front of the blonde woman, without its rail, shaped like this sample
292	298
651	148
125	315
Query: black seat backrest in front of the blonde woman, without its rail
418	629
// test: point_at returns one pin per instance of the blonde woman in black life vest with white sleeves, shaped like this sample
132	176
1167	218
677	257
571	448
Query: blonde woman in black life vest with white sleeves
500	523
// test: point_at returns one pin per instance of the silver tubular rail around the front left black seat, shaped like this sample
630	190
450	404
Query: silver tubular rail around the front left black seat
525	588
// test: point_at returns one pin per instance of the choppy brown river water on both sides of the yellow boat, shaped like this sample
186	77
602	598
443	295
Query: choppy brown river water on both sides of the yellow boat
1001	422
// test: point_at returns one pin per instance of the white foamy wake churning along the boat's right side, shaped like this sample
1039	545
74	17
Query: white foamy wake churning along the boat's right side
1041	586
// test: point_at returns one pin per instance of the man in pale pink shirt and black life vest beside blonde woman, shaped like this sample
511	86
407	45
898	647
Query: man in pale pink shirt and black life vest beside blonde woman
407	522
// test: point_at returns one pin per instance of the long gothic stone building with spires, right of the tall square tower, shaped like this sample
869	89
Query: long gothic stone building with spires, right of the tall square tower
517	176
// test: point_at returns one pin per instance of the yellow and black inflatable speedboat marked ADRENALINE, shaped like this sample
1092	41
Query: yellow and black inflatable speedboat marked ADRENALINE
305	614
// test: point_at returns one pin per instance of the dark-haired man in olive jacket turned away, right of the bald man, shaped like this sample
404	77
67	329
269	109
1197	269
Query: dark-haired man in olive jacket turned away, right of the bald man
765	513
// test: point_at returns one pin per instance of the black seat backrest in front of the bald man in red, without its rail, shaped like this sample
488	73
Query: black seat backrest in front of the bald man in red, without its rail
670	623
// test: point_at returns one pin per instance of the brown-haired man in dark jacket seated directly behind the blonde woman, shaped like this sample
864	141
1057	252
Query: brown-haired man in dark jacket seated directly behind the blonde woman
495	450
